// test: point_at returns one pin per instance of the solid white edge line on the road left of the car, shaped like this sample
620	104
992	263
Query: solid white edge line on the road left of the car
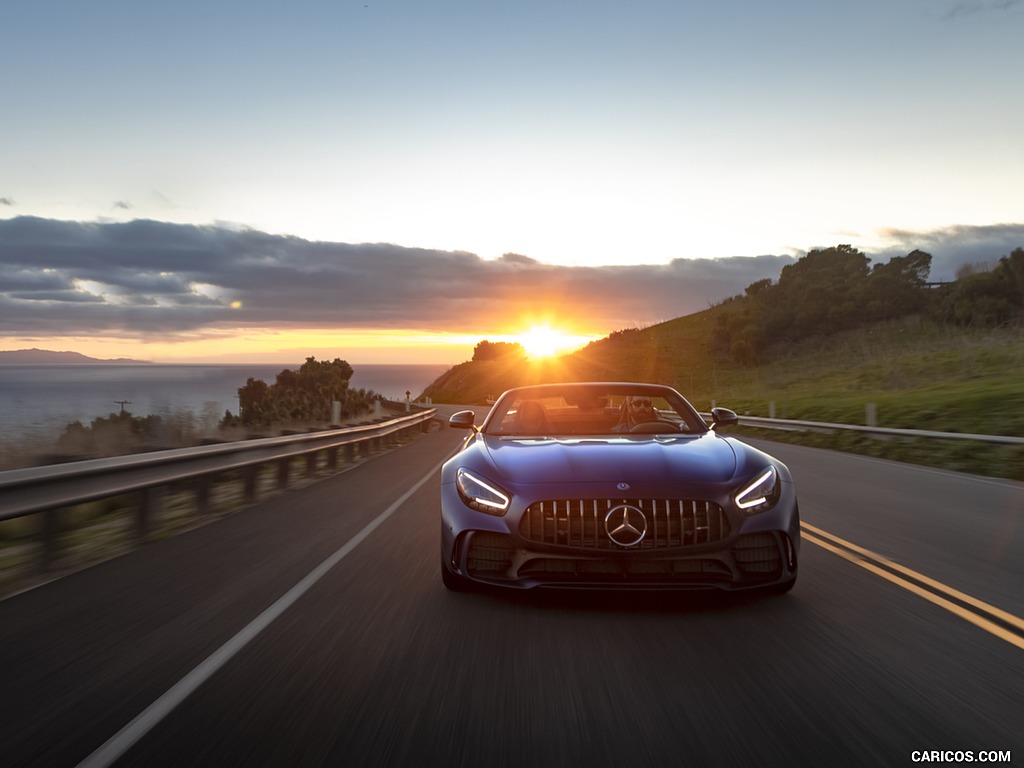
121	742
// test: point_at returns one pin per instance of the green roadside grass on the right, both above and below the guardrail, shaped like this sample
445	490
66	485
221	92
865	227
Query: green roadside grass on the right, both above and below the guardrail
916	376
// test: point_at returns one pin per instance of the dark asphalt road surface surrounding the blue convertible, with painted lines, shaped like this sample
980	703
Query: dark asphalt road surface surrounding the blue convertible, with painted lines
230	646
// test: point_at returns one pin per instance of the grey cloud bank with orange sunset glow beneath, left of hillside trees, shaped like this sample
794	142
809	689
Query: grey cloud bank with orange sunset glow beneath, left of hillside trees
175	291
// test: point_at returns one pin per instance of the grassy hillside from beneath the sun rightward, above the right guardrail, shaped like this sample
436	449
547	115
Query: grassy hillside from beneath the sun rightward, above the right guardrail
921	375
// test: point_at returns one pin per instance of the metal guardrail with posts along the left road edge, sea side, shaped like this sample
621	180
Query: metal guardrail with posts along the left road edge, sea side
25	492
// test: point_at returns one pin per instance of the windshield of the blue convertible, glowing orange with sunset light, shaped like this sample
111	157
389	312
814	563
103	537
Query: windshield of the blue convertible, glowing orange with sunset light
592	410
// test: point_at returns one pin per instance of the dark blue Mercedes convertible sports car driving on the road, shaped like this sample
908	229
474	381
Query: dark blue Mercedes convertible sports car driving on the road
614	486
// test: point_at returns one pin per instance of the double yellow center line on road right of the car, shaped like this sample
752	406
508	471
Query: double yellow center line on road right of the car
995	621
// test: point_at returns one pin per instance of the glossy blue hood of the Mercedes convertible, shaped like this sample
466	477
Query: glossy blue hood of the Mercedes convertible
701	459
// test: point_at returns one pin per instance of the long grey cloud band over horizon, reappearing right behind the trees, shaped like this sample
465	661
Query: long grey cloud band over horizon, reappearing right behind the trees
155	280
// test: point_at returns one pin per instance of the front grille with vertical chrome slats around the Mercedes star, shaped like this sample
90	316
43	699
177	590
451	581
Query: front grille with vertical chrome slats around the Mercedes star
580	523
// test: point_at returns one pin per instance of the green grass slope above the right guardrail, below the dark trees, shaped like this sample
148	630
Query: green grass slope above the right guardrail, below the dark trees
919	376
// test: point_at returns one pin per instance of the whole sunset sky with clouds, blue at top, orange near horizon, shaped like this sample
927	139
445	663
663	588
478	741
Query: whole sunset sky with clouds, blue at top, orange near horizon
394	182
